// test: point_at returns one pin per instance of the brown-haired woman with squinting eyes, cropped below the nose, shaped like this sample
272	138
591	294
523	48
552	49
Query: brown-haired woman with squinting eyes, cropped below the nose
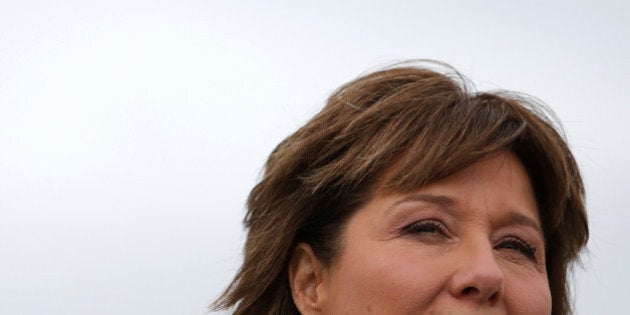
411	194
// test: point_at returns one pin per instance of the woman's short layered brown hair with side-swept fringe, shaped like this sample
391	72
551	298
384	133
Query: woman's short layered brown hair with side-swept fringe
396	130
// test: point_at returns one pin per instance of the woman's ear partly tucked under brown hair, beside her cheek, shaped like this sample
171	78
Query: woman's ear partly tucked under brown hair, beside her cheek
308	279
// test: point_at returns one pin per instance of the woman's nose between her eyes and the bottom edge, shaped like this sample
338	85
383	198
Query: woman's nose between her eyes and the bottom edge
478	277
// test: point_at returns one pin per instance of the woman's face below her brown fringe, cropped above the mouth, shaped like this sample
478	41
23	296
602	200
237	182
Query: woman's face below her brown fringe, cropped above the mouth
468	244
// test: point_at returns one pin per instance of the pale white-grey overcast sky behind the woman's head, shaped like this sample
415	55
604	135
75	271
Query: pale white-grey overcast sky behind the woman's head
132	131
